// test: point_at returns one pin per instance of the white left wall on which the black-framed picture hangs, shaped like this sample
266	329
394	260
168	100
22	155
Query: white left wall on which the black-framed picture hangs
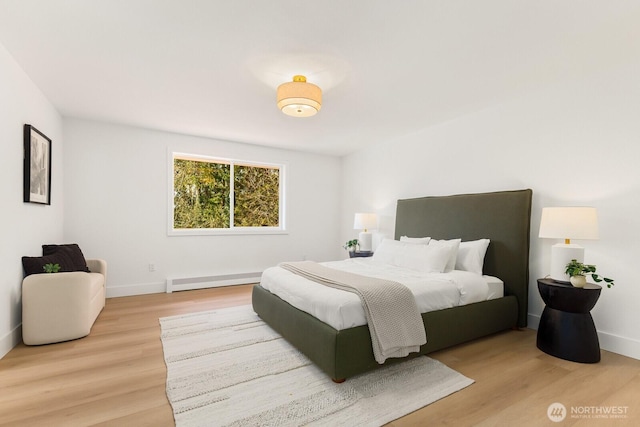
26	226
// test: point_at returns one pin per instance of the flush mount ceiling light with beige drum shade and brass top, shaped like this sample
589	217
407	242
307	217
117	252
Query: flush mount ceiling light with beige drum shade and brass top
299	98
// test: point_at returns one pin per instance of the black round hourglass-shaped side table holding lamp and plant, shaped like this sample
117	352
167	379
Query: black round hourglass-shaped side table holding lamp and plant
566	327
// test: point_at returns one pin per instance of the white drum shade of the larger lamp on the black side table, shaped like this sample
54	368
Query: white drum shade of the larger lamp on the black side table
572	222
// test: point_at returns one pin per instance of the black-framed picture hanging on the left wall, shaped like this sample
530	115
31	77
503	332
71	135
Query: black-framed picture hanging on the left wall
37	166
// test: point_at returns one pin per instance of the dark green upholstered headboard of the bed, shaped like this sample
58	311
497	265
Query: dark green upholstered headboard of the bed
503	216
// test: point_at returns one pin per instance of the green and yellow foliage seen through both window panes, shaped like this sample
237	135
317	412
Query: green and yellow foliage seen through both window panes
202	195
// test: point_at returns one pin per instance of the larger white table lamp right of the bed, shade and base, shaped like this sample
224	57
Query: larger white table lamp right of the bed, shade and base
571	222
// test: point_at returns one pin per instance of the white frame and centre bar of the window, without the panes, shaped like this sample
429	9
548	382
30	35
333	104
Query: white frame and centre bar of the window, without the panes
232	230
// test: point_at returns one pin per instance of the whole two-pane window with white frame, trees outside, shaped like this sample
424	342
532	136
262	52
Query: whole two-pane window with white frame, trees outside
222	196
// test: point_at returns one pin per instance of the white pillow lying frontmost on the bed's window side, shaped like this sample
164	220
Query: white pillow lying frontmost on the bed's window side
424	258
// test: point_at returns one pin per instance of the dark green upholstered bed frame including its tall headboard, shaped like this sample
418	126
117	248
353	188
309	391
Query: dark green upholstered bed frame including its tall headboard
503	217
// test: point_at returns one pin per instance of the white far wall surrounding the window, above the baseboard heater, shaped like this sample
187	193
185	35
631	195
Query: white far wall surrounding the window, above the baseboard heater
116	201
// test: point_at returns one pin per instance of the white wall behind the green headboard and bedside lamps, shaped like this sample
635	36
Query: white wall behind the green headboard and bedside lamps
574	144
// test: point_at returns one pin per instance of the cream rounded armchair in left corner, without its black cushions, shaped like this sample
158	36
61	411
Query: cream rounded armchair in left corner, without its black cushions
62	306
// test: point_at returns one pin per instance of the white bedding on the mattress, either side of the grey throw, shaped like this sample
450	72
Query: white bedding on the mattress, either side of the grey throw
343	310
